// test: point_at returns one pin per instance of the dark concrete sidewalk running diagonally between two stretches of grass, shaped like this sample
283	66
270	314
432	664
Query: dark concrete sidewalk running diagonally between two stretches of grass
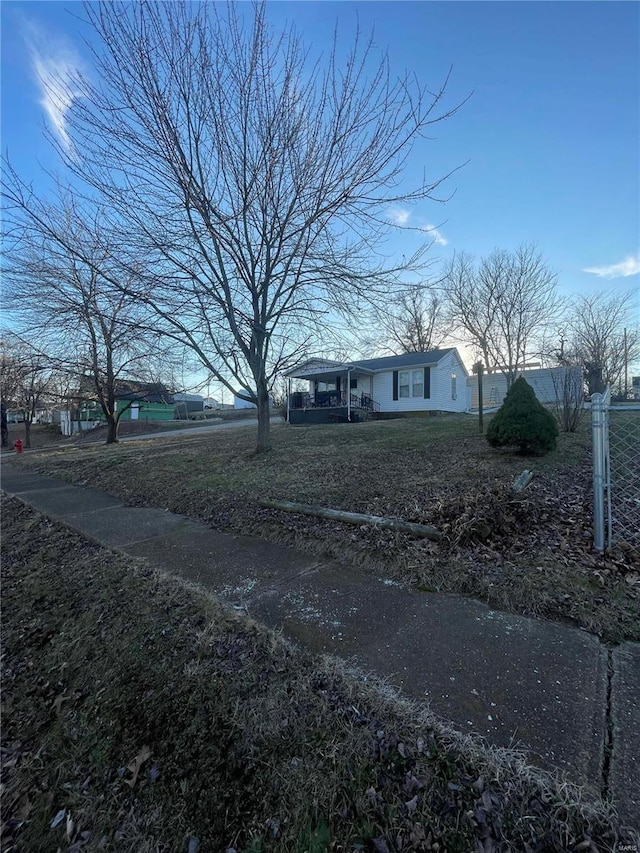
553	691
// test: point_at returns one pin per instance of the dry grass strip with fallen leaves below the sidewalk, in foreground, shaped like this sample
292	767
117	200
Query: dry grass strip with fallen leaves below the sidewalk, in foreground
150	719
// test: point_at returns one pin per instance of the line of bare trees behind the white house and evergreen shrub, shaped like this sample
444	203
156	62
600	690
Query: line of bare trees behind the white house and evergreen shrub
506	308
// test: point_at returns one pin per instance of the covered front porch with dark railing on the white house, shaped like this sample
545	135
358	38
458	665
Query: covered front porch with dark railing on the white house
336	393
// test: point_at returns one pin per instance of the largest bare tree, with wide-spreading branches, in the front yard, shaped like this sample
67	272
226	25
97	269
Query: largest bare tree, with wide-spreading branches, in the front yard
257	181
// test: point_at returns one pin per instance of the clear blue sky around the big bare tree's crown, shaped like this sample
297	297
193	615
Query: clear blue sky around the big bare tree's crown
551	132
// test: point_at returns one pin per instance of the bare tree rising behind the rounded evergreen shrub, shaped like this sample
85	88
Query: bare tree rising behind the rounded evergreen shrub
502	305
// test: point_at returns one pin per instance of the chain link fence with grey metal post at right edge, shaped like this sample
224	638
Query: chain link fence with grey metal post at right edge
616	472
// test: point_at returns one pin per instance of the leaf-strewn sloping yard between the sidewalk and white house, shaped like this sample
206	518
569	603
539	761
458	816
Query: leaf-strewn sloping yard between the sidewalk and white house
528	553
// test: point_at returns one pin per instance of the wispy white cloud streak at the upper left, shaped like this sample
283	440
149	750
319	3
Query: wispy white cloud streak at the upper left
57	67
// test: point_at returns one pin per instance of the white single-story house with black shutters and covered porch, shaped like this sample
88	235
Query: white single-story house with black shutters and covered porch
401	384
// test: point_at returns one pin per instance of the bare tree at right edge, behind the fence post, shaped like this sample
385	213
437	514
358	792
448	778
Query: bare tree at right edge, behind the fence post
601	333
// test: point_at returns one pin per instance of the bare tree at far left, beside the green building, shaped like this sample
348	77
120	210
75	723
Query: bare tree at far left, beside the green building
65	285
